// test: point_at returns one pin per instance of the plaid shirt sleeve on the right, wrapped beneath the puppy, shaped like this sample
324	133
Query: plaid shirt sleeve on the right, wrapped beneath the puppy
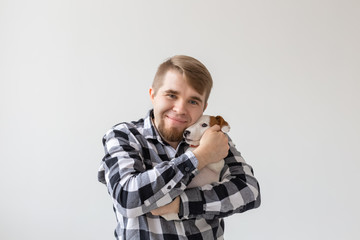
238	191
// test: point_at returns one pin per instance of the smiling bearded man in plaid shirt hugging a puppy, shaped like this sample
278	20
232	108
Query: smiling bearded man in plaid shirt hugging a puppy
146	169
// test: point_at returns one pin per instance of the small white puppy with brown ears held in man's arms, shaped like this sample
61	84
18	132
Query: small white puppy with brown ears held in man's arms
211	172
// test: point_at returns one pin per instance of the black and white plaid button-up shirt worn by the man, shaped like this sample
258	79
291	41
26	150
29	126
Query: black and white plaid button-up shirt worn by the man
142	172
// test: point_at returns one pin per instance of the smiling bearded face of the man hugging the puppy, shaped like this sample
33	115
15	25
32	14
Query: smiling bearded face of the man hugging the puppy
176	107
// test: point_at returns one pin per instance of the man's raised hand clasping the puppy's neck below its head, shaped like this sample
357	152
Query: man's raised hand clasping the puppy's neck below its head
213	147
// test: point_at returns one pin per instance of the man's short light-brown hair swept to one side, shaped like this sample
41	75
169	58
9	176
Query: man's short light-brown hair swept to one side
196	74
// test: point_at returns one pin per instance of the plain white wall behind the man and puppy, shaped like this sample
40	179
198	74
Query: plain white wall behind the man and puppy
287	78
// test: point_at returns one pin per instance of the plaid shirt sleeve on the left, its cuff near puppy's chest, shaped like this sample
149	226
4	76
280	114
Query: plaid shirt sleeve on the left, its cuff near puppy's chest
136	188
